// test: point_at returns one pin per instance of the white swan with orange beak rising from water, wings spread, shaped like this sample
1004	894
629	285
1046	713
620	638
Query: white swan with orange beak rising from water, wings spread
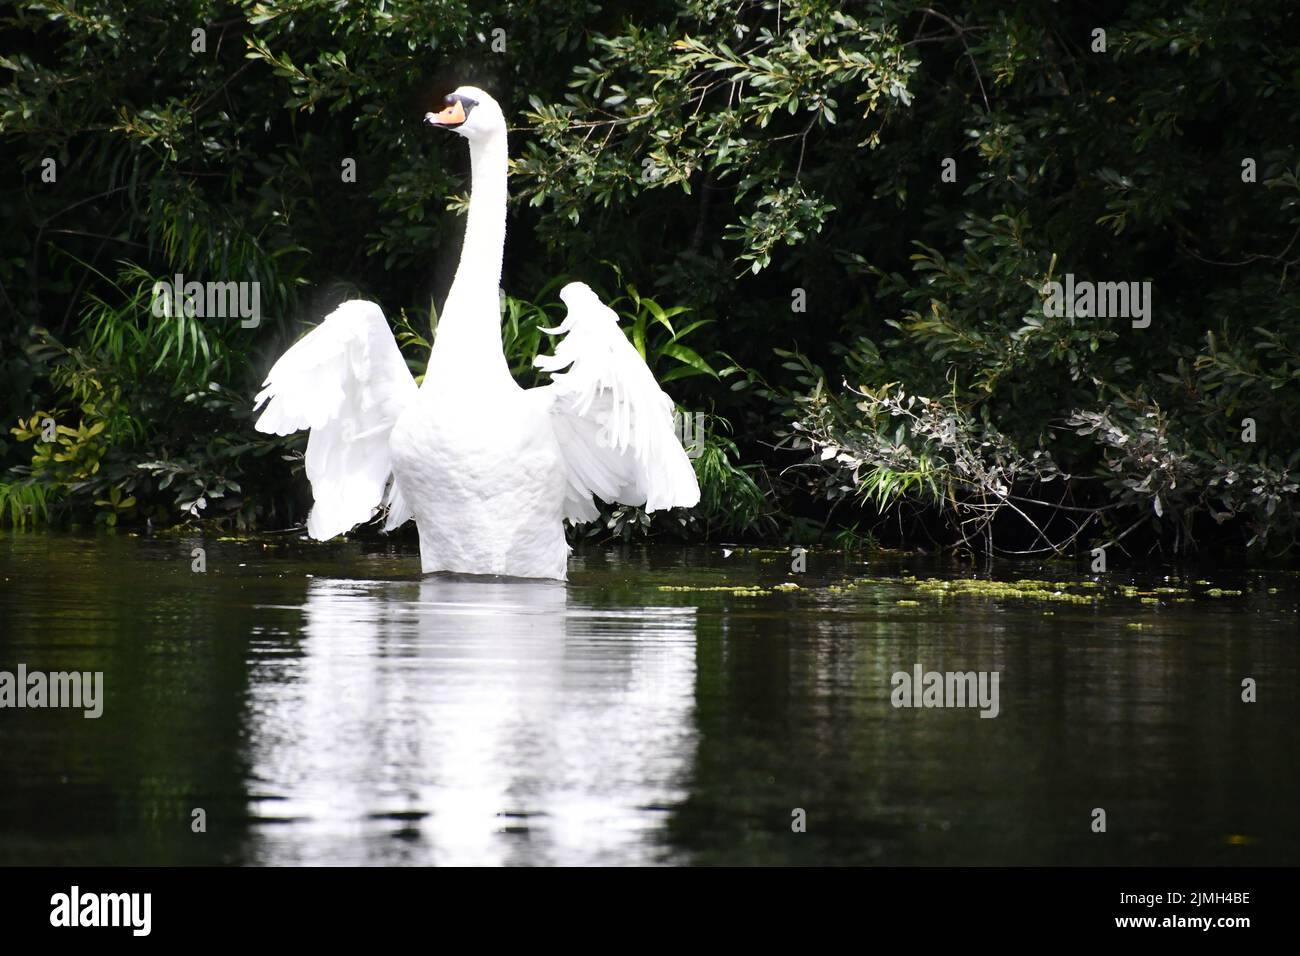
489	470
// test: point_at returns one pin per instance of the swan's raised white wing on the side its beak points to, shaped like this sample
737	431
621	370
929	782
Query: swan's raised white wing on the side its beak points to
348	383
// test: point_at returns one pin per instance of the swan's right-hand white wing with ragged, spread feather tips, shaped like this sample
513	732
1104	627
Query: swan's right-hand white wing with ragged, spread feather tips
613	421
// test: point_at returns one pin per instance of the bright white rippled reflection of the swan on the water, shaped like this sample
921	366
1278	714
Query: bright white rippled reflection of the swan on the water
469	721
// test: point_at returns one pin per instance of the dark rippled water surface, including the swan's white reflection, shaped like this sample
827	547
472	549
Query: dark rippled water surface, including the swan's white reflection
328	706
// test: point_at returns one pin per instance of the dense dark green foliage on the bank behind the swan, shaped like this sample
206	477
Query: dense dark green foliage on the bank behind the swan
830	226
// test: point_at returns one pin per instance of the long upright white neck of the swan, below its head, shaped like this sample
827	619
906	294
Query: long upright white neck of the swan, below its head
469	336
